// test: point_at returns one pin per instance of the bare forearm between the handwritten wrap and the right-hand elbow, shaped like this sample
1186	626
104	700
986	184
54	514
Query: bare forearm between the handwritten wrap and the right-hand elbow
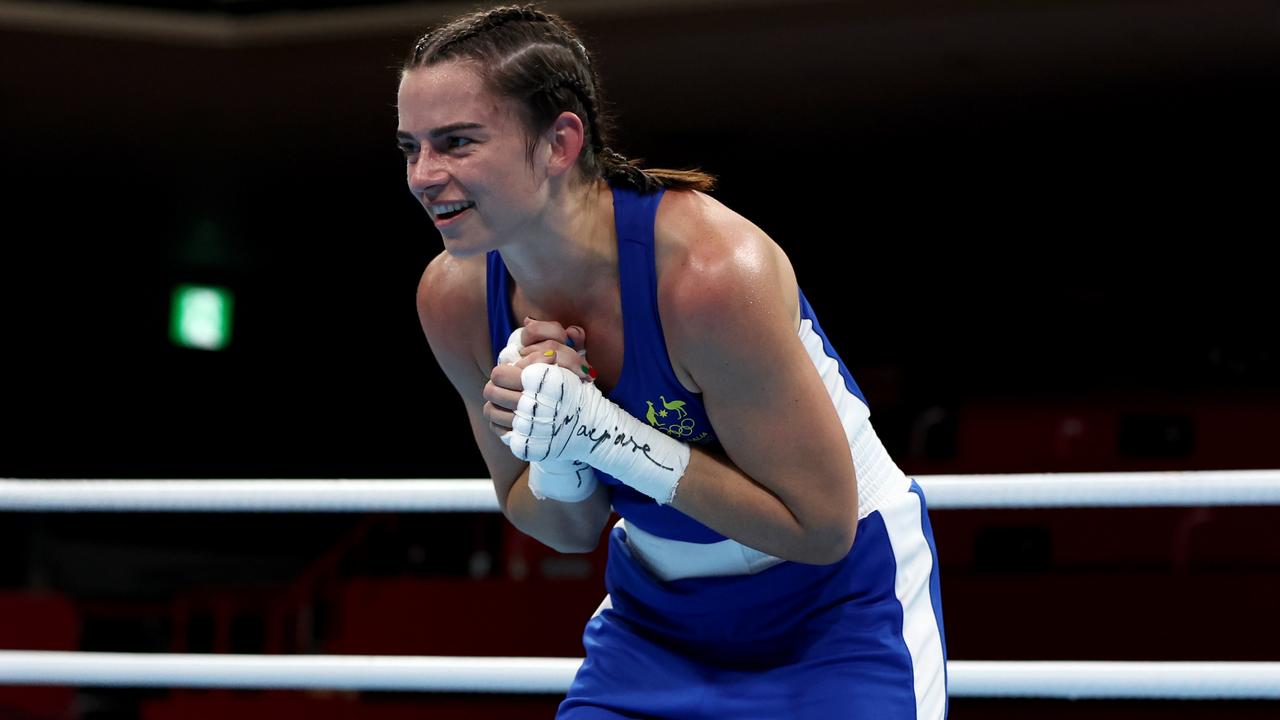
717	494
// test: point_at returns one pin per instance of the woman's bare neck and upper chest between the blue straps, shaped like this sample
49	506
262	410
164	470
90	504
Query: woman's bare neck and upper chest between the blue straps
572	250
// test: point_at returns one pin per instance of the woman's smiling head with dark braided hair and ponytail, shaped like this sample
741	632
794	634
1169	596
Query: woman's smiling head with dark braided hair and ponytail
456	69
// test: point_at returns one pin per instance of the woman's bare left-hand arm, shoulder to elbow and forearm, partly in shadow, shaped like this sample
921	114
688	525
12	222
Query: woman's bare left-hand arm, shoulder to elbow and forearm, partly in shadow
451	307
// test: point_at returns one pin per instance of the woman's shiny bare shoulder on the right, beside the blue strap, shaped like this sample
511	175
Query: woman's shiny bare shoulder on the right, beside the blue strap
717	271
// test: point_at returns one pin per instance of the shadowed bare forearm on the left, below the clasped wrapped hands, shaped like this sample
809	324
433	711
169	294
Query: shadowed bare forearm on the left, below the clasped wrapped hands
566	527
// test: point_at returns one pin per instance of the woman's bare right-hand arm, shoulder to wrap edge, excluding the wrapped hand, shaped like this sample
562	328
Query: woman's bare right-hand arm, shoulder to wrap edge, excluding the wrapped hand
787	485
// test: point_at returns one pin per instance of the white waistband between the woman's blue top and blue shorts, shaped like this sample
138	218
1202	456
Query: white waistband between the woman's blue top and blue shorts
879	481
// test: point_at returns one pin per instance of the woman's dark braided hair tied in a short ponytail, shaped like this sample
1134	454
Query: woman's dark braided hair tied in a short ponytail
538	61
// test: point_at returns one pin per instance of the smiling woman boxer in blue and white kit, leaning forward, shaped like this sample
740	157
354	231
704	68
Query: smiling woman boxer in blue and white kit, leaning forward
772	560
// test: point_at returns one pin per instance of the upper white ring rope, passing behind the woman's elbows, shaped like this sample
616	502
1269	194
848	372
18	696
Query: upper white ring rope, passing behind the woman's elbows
1048	490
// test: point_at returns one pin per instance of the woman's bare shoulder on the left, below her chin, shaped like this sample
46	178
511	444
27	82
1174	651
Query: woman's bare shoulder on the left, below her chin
454	312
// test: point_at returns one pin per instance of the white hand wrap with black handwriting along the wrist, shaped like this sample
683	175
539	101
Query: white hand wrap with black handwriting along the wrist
563	418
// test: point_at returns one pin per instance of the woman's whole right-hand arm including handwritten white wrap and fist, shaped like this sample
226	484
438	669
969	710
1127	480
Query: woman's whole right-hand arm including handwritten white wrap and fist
787	486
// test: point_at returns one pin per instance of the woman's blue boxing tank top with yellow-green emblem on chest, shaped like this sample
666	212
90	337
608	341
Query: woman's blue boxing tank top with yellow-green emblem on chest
648	388
